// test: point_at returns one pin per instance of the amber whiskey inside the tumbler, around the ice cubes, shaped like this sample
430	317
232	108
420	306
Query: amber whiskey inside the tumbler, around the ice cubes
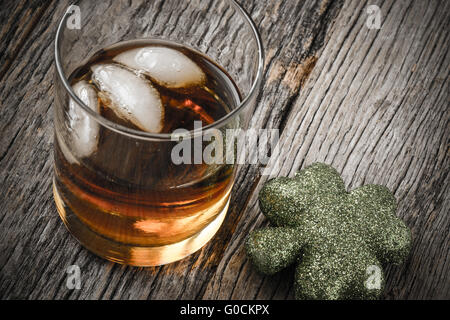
130	191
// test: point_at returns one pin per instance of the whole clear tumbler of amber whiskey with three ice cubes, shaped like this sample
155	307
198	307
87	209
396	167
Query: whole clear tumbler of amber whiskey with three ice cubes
146	96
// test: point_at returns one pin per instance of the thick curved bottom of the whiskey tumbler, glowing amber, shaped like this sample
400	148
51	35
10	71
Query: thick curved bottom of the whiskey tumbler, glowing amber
130	254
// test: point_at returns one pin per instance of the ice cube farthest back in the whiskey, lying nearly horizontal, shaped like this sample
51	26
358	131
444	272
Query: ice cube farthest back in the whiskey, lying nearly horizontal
168	67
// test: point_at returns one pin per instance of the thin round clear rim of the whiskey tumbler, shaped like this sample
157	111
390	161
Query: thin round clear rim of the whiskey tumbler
142	135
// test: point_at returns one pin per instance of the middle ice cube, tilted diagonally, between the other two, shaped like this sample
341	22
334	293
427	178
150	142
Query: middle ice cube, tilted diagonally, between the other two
132	97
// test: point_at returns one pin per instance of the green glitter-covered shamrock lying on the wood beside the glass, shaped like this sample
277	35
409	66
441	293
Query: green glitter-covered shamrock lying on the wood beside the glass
339	239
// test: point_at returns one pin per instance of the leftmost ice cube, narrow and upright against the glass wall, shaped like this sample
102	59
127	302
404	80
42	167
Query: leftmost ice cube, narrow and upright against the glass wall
84	128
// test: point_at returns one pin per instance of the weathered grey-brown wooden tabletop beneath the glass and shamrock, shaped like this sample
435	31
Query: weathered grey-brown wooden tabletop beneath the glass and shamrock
373	103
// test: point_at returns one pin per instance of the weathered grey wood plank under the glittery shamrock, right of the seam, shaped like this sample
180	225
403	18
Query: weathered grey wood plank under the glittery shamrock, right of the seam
376	106
